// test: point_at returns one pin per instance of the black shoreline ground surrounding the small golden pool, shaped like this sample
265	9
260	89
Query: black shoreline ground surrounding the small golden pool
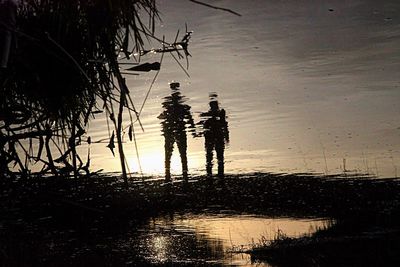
44	219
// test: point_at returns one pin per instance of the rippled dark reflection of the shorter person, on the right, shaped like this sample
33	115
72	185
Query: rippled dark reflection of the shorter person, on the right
216	134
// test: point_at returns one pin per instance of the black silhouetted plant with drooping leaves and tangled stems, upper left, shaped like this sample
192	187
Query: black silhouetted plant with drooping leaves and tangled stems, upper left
66	68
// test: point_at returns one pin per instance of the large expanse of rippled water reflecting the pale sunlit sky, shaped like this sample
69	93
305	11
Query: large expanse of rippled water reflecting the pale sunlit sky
308	87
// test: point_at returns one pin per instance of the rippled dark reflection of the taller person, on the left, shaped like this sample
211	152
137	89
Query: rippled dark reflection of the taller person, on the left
175	117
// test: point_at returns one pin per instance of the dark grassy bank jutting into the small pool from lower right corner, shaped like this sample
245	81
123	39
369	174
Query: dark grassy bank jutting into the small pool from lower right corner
376	247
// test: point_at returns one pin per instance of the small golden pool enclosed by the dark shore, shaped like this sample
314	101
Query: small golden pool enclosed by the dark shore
207	239
